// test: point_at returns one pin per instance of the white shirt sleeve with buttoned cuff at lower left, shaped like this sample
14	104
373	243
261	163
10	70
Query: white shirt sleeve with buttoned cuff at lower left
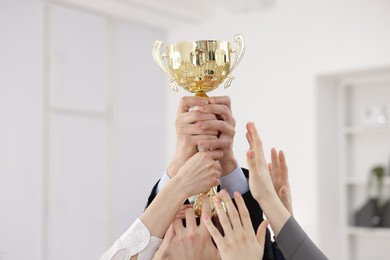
136	240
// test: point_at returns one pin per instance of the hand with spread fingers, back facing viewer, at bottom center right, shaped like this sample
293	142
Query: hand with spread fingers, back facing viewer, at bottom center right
239	240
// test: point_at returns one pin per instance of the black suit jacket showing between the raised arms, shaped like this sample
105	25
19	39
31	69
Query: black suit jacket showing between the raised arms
271	252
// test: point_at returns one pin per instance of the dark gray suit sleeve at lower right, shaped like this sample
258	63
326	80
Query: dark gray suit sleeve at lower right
295	244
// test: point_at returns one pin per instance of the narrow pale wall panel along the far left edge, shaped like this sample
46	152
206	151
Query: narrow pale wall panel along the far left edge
21	129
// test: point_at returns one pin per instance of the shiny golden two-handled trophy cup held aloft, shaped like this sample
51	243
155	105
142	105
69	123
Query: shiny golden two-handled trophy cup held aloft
199	67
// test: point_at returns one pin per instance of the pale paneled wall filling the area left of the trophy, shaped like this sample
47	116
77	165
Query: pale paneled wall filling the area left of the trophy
81	136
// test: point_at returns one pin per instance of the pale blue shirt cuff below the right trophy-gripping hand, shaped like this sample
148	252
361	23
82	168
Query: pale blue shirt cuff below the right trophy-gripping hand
235	181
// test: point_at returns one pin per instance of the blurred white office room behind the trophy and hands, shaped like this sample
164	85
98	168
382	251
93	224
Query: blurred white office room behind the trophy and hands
87	116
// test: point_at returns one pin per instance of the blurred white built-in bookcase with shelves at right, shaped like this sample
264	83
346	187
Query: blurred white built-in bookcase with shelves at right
353	133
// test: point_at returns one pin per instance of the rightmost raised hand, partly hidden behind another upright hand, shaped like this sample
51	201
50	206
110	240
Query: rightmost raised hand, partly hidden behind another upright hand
279	175
